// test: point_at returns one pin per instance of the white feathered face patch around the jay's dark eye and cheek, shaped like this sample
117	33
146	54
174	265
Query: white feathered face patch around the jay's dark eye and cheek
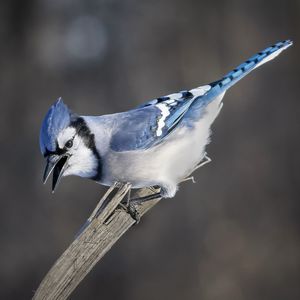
82	161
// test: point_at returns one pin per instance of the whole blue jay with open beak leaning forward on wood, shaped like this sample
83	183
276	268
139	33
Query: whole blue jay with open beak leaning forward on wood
159	143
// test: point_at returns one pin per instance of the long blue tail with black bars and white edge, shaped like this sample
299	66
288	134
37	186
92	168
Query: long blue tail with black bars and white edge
242	70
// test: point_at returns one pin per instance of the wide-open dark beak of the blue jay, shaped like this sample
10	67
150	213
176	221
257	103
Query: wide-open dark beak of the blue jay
57	164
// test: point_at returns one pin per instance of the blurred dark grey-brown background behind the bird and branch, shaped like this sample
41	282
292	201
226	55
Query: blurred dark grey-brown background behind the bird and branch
234	234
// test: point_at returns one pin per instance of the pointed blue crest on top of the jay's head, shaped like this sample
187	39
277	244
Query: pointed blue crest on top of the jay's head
57	118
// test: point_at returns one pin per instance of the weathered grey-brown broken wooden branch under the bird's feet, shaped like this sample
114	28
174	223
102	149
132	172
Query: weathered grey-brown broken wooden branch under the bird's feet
108	222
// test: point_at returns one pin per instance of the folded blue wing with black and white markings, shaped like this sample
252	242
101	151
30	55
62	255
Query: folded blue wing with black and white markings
150	123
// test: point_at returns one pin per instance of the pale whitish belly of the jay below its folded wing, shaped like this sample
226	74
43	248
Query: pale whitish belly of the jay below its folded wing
170	161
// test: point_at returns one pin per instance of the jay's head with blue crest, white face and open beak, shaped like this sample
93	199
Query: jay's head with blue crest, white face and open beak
68	145
